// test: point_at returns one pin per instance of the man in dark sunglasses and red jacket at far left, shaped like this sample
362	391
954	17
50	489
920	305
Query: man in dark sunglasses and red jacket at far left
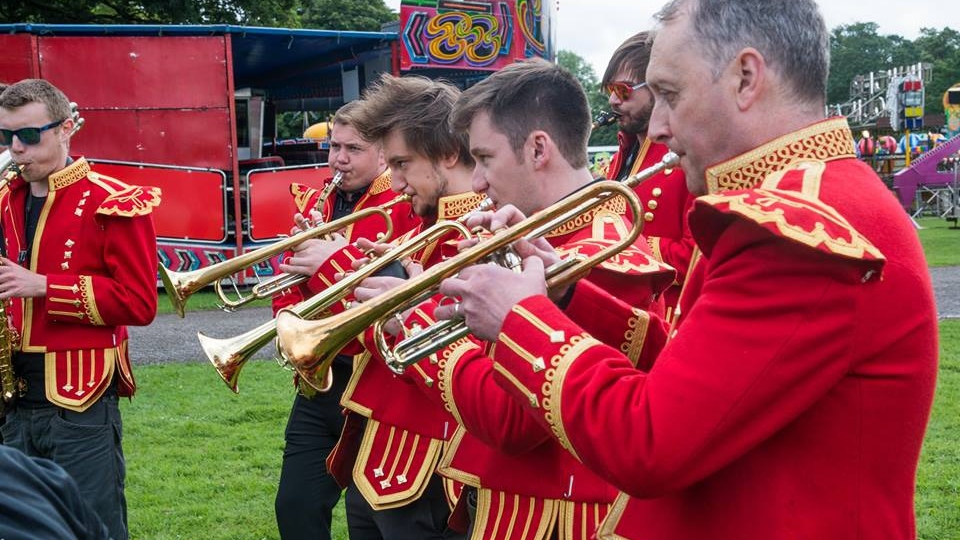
80	264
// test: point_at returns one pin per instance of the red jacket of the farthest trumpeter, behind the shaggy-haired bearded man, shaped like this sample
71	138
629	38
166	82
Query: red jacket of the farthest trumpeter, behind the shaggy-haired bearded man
373	227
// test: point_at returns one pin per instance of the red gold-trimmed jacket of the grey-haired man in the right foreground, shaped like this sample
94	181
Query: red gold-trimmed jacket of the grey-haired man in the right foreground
792	399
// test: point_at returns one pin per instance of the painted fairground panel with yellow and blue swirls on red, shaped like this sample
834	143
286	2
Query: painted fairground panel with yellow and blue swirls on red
475	34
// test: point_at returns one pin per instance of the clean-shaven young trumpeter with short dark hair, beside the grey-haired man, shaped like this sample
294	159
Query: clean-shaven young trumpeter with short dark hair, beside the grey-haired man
531	152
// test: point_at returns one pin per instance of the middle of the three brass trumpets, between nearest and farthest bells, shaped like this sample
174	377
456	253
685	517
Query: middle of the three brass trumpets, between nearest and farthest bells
229	355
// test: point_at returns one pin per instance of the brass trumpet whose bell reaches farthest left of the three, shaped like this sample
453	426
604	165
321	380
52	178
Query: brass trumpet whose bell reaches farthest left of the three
181	285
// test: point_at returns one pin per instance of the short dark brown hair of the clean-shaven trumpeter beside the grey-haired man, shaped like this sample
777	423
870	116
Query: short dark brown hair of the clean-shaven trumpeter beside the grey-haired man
531	95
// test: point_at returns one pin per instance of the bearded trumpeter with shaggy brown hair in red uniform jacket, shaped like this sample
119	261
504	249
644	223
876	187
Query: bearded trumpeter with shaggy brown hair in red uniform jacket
394	435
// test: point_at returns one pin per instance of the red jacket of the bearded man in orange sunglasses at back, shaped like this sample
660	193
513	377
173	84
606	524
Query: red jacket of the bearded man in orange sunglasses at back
666	203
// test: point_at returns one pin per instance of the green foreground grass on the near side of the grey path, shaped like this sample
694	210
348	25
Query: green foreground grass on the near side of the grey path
204	463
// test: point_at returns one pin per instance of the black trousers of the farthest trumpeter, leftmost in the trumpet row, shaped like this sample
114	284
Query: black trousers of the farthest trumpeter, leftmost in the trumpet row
307	494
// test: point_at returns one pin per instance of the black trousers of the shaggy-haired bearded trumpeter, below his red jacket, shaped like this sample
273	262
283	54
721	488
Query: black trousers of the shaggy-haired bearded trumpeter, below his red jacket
423	519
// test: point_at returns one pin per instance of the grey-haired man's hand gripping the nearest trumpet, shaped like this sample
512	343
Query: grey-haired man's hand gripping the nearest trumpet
488	292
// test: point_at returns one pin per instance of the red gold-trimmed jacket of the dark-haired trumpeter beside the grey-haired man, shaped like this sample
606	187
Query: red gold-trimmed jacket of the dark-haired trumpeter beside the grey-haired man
523	476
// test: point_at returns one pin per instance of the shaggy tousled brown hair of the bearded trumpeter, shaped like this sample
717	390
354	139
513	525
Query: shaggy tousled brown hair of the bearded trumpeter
419	109
